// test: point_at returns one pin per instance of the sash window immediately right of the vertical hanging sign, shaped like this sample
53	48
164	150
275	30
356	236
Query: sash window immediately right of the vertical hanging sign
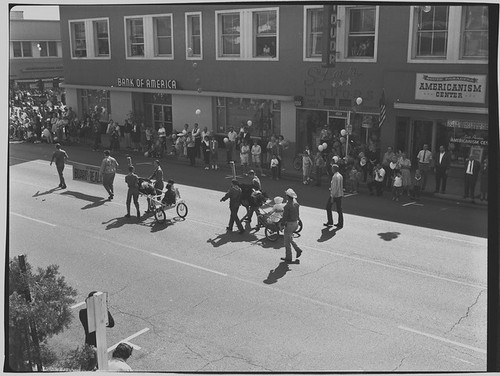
361	37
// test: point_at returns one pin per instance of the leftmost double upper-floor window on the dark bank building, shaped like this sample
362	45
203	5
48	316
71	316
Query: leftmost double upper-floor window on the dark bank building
89	38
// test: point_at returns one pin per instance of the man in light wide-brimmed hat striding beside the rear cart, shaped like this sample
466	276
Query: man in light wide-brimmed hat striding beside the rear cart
290	221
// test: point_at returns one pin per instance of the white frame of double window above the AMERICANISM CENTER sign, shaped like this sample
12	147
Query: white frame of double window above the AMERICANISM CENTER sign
454	42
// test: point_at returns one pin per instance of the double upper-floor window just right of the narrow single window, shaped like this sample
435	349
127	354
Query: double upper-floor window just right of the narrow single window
247	34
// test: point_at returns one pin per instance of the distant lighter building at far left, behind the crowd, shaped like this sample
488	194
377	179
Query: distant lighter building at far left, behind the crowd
35	53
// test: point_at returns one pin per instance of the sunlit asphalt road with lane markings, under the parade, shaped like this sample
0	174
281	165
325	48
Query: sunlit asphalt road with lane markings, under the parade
407	294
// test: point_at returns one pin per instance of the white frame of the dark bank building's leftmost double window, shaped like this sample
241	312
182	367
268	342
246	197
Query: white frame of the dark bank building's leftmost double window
90	39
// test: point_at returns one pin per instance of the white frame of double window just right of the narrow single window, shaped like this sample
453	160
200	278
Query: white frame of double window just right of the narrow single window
247	34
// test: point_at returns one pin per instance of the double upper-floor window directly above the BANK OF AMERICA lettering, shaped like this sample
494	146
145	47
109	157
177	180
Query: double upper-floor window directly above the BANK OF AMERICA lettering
149	36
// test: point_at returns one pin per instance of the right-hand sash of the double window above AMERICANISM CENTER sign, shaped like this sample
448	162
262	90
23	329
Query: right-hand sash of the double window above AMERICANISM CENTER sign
475	32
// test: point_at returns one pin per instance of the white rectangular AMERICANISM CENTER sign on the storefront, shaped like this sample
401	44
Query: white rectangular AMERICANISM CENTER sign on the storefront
461	88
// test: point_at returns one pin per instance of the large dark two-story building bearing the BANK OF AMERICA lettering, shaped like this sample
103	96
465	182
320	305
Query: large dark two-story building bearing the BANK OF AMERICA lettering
289	68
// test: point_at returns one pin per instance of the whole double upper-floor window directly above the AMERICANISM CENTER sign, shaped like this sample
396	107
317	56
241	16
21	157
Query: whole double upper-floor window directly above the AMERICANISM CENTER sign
448	34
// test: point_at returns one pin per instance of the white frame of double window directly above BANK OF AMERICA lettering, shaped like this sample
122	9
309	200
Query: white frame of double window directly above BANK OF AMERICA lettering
150	40
